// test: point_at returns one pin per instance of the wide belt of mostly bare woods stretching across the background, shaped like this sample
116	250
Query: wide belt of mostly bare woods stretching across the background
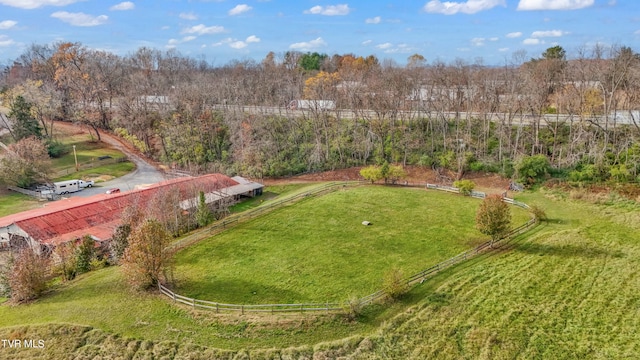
580	114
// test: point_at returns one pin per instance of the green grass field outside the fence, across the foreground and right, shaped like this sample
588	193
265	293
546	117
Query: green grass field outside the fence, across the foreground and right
566	290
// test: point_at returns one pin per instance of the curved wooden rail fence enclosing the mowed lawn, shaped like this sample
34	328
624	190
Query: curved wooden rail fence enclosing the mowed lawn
419	277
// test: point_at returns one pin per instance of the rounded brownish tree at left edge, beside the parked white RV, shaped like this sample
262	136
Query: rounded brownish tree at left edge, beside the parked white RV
25	163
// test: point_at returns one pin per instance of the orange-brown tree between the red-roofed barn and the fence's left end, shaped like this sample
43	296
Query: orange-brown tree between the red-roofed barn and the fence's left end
147	260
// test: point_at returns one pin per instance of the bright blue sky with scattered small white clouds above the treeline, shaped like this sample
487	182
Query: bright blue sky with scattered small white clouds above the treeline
223	30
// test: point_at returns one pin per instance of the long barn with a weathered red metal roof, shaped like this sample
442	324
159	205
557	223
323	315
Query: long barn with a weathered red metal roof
99	215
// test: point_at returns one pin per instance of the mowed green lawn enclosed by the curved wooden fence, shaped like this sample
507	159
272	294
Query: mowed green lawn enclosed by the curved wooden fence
318	250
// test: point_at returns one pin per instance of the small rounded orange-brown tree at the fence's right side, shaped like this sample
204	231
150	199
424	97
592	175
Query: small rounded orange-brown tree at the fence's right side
493	217
